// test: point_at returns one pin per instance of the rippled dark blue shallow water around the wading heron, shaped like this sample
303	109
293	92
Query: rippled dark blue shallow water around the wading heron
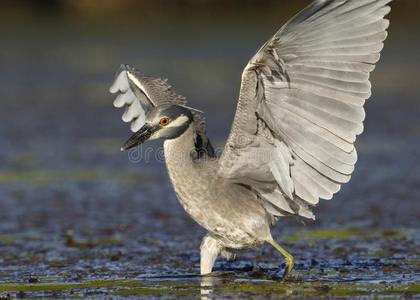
79	219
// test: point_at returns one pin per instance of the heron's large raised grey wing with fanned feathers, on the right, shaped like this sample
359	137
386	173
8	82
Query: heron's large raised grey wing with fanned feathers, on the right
301	105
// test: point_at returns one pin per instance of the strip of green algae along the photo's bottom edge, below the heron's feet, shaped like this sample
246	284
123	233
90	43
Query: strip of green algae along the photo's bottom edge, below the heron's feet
137	287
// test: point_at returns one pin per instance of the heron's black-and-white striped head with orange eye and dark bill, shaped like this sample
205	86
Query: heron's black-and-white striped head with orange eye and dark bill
162	122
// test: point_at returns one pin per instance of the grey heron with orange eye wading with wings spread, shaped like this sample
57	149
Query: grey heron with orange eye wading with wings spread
300	109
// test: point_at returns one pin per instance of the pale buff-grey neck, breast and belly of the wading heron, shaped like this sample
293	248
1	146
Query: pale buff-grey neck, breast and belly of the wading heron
227	210
